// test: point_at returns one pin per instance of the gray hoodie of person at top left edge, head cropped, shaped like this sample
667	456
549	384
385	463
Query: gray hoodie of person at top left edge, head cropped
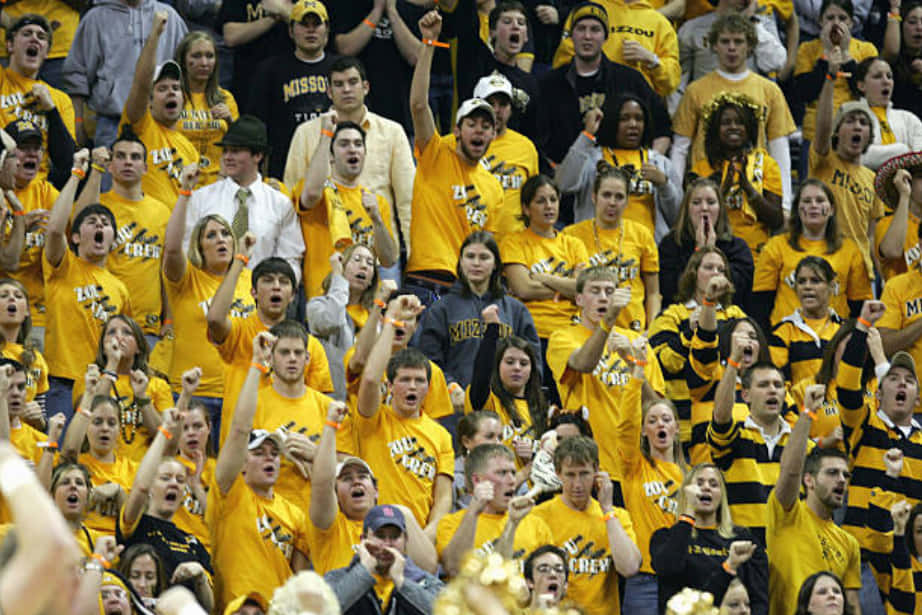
106	47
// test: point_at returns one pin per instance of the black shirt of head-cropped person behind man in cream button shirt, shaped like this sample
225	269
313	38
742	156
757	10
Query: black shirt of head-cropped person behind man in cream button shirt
388	72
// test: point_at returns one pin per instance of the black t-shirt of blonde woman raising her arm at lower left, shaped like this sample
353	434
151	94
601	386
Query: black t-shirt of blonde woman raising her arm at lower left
172	544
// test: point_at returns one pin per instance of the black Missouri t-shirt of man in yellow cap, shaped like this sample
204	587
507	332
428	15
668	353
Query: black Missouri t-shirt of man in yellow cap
286	92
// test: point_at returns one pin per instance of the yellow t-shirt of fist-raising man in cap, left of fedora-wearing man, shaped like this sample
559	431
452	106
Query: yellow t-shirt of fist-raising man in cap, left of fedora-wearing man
168	151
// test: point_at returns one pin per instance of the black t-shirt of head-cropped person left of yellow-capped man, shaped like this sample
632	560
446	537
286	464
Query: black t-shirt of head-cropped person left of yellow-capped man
248	56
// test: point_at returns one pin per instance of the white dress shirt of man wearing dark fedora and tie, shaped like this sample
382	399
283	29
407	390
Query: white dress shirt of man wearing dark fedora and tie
271	217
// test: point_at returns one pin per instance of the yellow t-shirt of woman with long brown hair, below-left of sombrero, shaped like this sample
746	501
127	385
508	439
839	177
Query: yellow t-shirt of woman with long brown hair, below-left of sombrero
778	261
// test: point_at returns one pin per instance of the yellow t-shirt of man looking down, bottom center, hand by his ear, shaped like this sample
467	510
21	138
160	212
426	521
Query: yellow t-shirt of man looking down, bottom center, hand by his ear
593	581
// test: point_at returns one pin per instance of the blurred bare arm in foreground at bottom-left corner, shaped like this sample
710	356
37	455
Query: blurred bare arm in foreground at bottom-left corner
46	553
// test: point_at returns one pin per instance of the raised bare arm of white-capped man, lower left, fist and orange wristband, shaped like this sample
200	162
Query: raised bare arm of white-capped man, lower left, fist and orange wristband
233	453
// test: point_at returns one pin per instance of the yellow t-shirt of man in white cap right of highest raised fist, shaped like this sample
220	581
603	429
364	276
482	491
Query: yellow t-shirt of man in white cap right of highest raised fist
512	159
